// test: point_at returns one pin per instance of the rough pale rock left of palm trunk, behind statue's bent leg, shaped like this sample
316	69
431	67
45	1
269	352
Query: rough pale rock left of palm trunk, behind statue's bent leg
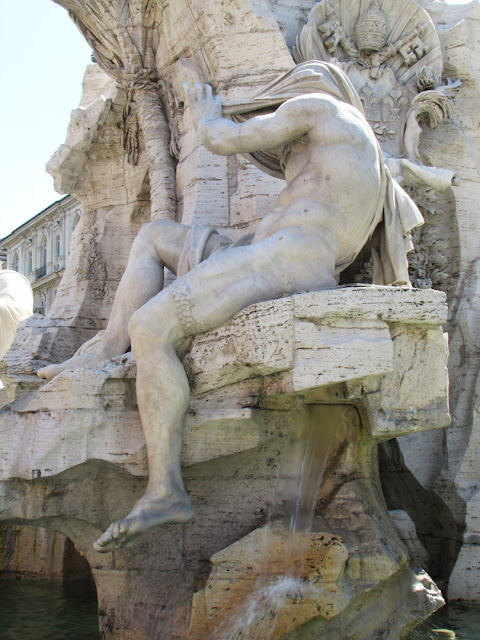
115	204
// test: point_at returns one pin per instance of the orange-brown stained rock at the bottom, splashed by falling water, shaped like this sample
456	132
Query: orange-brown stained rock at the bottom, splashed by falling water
241	598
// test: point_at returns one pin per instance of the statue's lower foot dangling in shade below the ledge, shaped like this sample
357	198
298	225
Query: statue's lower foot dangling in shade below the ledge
148	512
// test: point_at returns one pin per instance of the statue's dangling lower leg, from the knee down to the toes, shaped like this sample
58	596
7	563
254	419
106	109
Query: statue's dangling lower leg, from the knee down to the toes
162	394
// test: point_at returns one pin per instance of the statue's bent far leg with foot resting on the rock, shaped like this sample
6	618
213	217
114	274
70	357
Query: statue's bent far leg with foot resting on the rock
158	244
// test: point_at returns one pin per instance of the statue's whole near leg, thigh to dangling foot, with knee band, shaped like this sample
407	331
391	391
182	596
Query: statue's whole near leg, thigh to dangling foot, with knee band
287	262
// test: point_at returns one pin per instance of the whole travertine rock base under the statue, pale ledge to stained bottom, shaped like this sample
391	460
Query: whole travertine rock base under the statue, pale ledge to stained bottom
73	459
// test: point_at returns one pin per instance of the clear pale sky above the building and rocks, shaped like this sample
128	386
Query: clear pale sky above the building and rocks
43	60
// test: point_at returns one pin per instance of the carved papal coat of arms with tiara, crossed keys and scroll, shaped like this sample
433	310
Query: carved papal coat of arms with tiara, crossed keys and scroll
391	53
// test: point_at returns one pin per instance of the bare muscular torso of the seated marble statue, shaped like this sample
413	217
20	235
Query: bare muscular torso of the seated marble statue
333	178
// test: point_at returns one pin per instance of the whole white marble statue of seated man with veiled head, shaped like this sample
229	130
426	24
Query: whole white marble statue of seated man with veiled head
337	193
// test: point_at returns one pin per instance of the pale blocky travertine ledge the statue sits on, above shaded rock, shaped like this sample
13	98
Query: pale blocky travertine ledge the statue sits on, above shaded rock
378	348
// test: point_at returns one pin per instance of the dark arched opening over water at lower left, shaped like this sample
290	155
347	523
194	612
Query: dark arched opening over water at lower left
46	585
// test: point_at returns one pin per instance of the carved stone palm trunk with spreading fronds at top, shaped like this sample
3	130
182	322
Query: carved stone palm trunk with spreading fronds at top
122	34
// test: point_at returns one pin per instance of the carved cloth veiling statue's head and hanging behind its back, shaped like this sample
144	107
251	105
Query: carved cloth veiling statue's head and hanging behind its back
396	213
